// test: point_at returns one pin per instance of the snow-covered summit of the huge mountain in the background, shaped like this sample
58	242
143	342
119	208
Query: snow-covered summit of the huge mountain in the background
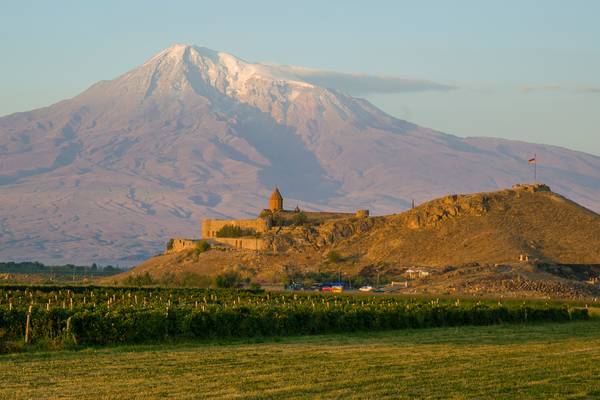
187	71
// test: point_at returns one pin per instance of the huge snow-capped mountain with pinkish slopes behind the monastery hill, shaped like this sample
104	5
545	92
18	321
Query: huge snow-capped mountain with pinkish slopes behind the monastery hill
114	172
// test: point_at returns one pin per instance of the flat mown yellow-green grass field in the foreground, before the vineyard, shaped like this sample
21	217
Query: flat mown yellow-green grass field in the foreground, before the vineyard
554	360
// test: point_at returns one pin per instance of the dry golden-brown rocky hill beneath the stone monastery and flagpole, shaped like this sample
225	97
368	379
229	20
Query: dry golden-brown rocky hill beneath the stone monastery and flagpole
462	243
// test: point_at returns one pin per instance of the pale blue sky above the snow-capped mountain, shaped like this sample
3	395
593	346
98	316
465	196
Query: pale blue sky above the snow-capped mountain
526	70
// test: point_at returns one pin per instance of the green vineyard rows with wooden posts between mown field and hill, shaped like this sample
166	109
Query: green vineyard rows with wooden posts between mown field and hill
103	315
